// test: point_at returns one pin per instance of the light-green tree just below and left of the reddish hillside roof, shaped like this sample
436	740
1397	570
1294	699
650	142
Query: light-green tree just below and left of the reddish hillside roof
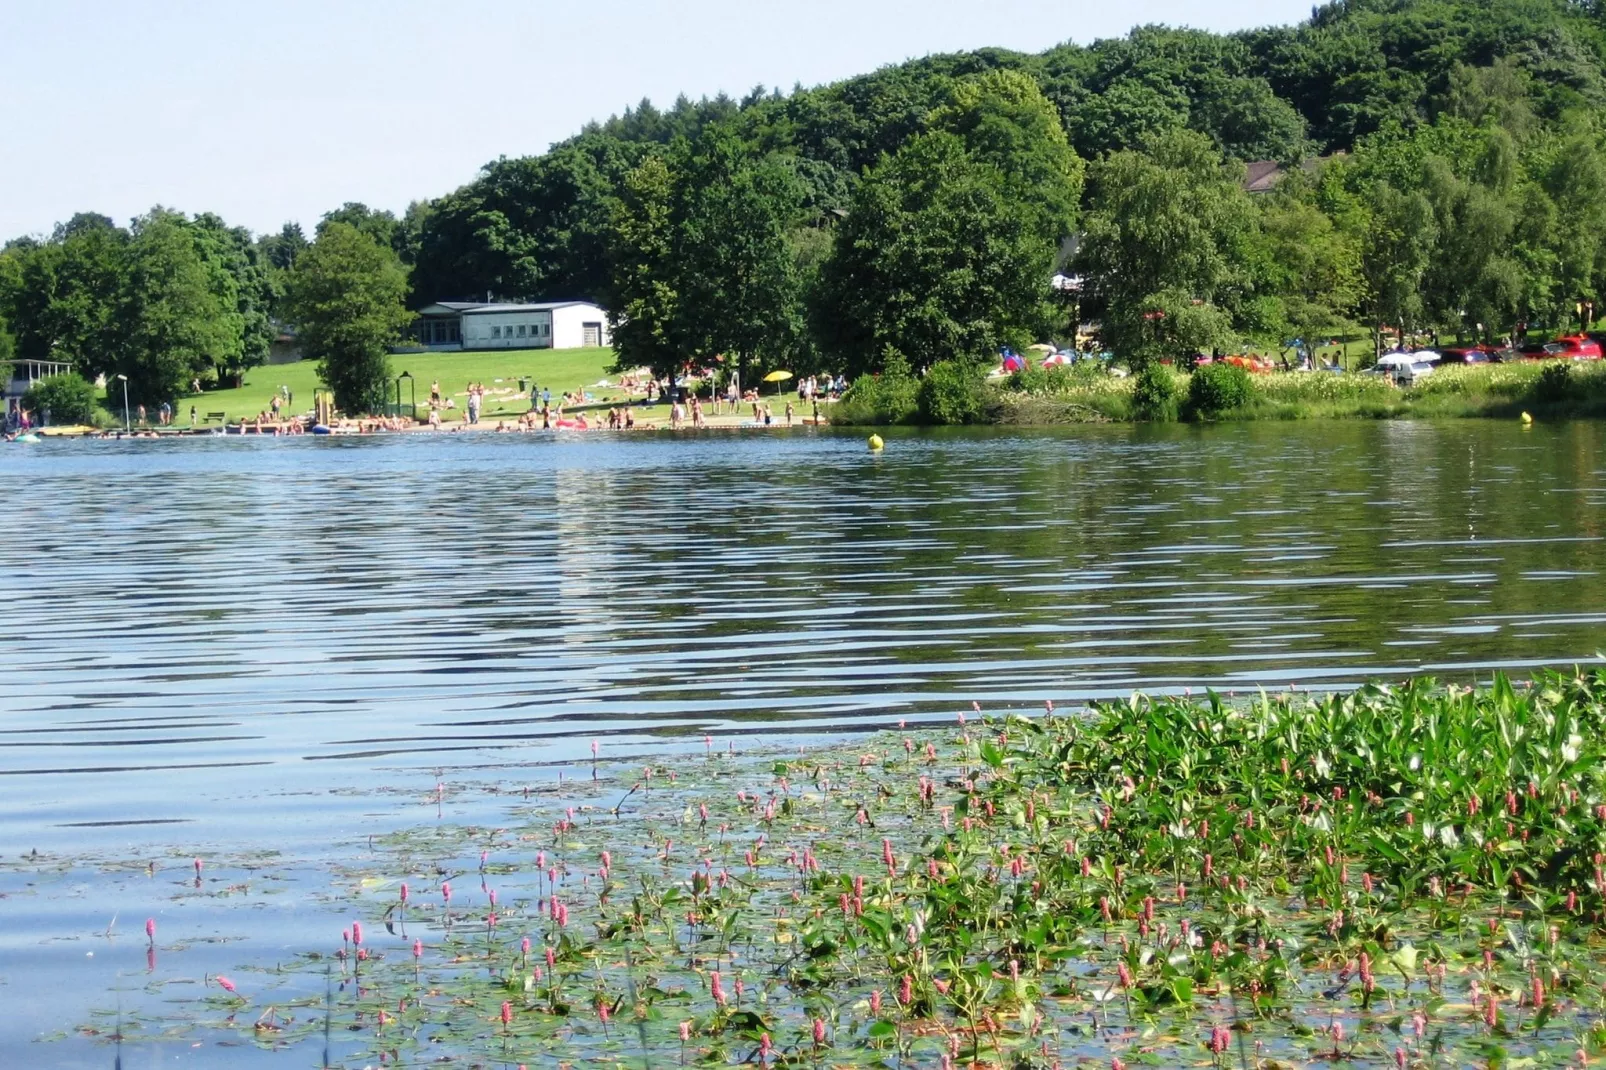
1167	248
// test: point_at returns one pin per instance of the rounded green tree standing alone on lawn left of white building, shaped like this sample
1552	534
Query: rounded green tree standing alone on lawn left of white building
348	300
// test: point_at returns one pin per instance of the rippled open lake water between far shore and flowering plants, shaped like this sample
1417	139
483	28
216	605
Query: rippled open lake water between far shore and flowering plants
238	648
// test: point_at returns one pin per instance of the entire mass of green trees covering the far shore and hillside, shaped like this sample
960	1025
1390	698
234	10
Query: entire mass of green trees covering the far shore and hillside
1445	169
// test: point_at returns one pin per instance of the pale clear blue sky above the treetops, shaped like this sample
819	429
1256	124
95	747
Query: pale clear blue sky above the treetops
280	110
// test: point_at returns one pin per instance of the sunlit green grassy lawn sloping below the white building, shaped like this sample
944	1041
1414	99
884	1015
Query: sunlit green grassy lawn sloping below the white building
500	370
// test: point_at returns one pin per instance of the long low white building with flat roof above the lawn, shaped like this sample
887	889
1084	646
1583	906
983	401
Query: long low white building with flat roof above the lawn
452	325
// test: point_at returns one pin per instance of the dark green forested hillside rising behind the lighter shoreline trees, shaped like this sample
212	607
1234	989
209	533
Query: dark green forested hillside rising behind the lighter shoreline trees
529	226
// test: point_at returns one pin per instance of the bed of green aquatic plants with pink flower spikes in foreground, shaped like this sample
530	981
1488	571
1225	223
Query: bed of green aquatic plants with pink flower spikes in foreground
1403	878
